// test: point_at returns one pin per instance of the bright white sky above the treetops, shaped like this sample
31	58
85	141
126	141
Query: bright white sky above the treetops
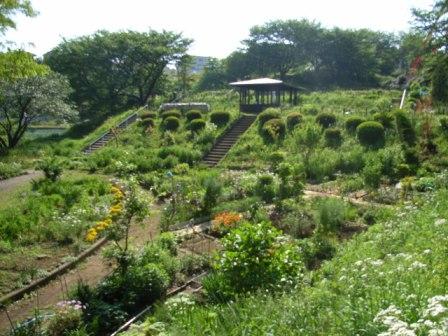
217	27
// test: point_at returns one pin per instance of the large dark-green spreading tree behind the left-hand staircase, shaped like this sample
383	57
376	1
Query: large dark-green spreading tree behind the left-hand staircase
113	71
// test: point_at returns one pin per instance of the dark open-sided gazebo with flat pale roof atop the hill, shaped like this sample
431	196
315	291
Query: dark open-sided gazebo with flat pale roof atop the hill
258	94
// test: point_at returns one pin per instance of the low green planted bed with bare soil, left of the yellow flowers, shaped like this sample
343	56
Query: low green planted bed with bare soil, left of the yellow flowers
48	223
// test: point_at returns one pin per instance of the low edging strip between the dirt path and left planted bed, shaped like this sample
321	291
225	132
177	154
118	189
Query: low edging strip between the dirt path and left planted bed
19	293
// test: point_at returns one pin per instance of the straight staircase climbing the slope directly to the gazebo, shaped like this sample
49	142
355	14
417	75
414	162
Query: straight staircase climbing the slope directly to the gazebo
223	145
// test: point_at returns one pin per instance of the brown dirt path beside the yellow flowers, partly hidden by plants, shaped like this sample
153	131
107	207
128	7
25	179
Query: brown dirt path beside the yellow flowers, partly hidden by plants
91	271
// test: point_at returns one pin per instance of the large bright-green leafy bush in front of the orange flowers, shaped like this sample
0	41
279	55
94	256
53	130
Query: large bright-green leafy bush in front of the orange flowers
253	258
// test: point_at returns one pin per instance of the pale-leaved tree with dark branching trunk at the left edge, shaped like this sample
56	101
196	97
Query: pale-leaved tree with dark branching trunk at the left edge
26	99
